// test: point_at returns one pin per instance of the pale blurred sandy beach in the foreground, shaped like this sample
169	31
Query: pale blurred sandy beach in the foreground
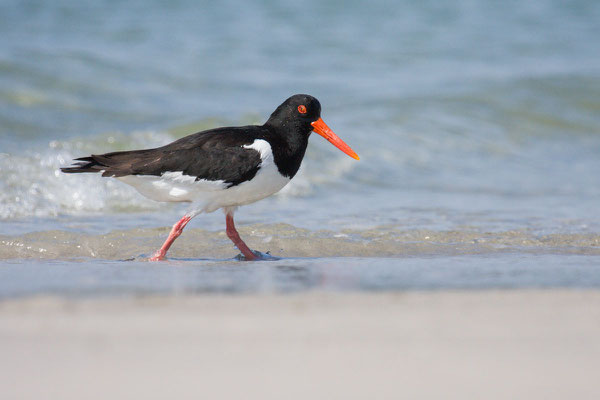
424	344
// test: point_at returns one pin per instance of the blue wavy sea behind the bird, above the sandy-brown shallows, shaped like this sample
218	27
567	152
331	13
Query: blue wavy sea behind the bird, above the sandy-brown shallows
467	115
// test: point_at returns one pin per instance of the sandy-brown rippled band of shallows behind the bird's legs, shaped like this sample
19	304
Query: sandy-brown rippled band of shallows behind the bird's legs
285	240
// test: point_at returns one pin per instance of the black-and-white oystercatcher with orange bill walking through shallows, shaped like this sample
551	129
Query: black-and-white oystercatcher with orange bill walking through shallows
220	168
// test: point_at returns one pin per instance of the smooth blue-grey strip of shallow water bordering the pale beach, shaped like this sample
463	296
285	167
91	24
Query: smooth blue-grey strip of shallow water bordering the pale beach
181	277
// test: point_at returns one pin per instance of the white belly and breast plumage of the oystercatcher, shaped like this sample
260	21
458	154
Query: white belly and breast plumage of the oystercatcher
212	195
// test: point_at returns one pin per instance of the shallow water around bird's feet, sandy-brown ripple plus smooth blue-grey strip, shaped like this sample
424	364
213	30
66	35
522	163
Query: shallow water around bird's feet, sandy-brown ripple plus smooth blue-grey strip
382	258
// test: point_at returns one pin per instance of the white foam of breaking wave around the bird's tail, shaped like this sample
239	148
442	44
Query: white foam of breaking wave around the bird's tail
31	183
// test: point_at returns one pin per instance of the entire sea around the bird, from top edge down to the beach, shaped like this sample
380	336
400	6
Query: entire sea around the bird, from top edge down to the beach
477	123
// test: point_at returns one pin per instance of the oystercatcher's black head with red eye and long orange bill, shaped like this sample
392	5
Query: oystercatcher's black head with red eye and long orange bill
299	115
